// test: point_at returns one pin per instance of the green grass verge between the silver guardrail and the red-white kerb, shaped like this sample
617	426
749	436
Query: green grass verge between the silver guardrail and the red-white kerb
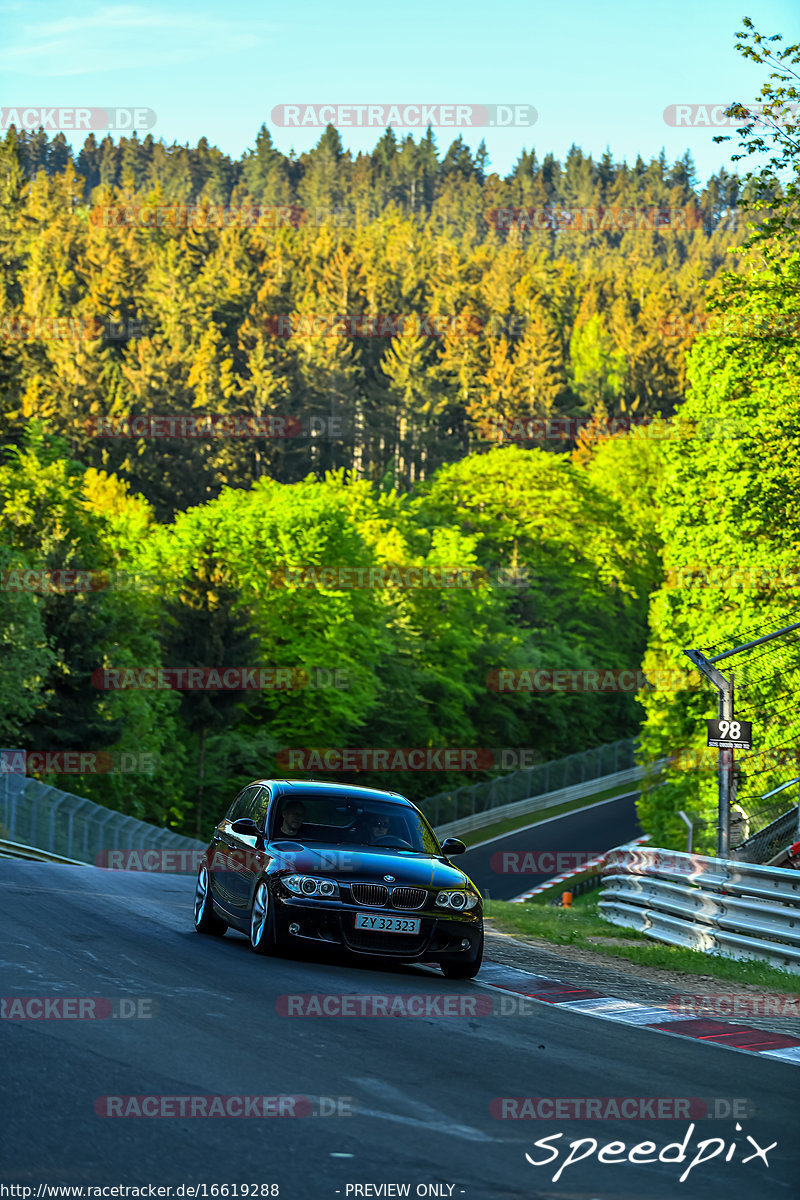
578	926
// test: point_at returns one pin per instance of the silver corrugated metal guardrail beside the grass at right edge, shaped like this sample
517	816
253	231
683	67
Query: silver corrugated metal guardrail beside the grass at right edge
715	905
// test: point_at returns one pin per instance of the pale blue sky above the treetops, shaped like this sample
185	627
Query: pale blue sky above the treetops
599	73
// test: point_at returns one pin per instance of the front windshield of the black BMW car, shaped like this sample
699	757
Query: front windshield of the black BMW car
352	823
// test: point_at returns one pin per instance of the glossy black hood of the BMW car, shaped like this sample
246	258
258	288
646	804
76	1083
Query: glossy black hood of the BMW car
357	866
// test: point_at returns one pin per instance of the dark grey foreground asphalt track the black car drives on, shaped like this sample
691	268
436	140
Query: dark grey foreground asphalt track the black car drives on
420	1088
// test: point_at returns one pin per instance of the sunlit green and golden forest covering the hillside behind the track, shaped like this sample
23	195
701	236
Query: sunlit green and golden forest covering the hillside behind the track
221	380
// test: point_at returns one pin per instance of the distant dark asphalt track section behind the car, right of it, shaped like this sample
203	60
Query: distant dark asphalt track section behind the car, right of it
586	832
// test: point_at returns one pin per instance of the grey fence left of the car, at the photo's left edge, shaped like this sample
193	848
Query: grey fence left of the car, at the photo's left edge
34	814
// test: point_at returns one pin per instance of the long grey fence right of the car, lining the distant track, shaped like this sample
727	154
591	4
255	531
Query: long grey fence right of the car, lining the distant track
531	782
